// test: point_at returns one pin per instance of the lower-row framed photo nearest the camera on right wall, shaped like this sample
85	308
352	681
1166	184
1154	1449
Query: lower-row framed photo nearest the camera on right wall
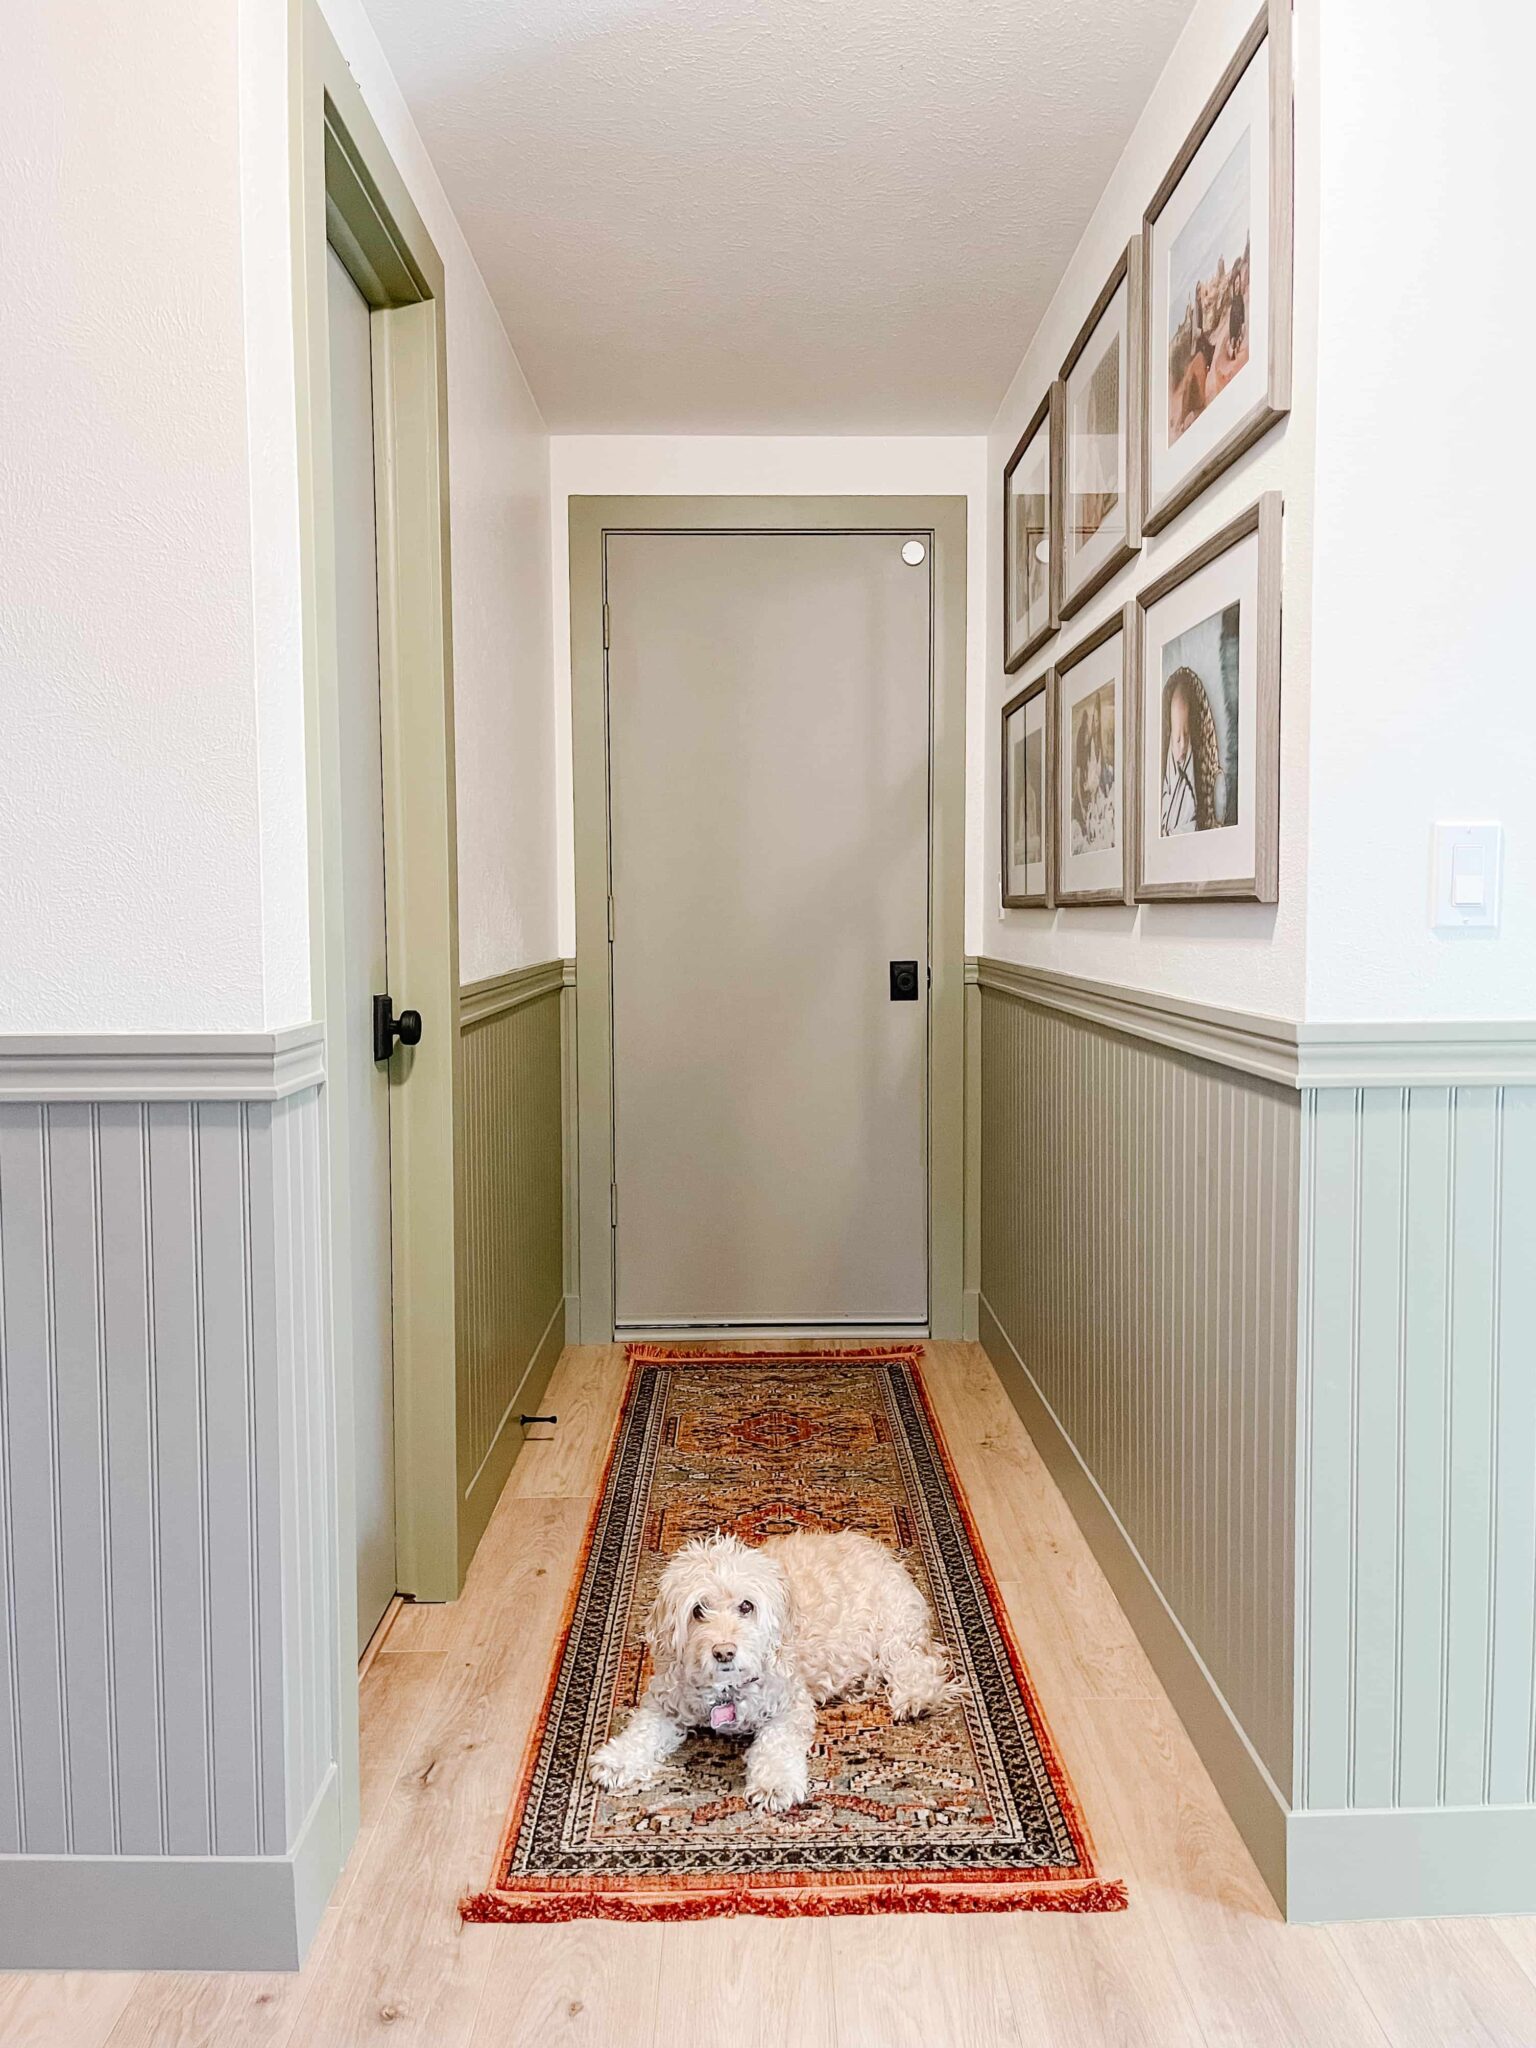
1207	687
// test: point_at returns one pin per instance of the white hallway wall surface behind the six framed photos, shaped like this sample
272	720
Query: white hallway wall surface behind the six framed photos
1226	953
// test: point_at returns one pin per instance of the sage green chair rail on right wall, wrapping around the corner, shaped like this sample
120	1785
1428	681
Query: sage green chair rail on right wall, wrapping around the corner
1390	1054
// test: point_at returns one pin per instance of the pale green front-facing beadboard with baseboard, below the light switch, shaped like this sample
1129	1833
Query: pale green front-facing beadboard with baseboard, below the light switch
1416	1625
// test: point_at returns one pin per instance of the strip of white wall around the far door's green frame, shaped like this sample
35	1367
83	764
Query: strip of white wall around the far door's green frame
599	466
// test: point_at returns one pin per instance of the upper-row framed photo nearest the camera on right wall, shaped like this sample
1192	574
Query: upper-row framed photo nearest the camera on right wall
1170	484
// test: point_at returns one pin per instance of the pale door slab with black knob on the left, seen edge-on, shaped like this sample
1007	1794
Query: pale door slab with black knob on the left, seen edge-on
368	962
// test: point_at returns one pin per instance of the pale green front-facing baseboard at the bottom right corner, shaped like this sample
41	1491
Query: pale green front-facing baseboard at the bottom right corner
1412	1863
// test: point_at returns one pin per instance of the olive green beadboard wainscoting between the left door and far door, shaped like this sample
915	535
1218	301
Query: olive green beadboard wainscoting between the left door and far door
513	1205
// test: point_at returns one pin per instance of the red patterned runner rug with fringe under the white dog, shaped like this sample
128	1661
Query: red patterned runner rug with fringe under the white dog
966	1811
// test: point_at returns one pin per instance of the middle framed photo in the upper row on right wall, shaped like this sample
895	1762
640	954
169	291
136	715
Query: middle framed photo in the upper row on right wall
1101	501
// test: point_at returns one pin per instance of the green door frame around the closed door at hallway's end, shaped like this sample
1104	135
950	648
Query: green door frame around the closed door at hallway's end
945	525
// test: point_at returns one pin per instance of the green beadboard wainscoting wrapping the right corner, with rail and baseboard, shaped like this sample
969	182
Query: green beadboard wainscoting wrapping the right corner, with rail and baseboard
1267	1297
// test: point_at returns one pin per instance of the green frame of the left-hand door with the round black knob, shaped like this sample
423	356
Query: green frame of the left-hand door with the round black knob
347	194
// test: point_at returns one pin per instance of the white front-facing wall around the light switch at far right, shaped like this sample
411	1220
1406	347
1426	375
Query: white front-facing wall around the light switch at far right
1424	699
